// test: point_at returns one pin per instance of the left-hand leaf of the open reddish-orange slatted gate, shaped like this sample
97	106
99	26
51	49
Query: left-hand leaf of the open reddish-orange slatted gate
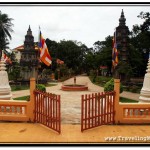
47	110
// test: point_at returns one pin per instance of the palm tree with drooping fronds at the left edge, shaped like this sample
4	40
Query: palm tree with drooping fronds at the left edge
5	29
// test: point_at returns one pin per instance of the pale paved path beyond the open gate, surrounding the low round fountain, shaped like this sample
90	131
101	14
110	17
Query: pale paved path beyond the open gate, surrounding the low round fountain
71	100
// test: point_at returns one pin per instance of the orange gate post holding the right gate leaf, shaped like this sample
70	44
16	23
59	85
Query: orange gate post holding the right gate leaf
117	97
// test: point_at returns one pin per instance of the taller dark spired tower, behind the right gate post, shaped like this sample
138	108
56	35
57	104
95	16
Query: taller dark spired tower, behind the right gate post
122	41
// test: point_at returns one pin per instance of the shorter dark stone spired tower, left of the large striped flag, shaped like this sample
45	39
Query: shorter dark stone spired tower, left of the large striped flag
29	58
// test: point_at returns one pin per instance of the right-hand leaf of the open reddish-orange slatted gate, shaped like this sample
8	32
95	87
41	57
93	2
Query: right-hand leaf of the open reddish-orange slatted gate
97	109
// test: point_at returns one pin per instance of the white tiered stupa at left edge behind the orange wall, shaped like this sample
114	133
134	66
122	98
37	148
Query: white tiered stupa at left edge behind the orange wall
5	89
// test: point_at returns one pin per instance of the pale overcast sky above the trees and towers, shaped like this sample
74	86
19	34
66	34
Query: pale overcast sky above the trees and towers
86	24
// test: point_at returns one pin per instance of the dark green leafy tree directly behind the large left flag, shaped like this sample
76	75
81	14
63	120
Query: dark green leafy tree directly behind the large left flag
71	52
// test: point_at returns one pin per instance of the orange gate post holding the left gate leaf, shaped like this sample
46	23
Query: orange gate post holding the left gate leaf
32	103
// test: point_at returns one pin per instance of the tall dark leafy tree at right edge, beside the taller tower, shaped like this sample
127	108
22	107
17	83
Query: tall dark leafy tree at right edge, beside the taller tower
140	45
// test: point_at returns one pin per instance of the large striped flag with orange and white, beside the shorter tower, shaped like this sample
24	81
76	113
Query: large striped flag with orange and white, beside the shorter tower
44	54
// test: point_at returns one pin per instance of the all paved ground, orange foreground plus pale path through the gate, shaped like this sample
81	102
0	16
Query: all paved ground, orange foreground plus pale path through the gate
23	132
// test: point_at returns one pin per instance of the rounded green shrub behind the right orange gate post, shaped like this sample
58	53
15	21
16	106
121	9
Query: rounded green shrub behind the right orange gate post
109	86
